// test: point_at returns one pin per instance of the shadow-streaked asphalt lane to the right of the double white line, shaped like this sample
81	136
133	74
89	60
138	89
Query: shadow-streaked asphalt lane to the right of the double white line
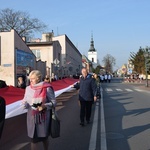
127	116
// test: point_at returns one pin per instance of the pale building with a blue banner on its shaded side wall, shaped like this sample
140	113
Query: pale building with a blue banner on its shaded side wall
15	57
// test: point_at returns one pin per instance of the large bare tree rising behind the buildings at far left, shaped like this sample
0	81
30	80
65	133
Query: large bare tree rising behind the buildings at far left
20	21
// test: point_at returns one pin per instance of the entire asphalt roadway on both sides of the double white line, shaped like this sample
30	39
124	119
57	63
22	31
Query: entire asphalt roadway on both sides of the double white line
126	117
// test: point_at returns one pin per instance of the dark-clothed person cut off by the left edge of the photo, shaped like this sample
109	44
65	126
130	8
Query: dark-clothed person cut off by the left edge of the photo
2	114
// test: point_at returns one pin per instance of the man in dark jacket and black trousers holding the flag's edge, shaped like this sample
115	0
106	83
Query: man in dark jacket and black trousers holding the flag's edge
87	94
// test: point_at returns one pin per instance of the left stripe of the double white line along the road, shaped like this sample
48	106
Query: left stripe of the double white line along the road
93	138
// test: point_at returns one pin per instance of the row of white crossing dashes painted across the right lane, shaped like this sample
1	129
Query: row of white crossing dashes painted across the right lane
121	90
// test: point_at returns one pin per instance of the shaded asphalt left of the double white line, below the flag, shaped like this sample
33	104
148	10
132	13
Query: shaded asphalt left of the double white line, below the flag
73	136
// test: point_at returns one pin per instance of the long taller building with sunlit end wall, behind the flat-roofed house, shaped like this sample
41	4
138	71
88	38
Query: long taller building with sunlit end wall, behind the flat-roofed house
71	58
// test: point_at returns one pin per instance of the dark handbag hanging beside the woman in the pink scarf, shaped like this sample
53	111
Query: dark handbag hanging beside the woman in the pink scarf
55	125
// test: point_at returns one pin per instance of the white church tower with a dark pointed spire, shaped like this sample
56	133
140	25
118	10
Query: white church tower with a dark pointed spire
92	53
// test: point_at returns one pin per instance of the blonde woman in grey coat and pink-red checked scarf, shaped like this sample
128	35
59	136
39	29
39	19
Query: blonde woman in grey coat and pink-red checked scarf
39	98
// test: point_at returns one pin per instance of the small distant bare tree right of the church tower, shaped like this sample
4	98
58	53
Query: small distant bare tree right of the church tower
109	61
